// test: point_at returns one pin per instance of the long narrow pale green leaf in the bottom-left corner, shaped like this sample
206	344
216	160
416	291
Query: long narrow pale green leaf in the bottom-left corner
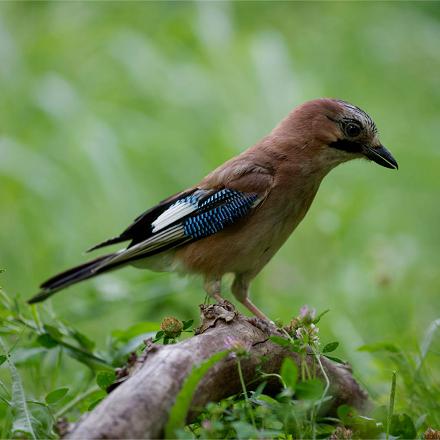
22	418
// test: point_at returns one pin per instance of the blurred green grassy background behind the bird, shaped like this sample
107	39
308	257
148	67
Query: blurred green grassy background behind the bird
107	108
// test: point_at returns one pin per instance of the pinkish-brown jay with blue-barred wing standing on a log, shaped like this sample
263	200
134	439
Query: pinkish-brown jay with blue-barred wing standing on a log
237	217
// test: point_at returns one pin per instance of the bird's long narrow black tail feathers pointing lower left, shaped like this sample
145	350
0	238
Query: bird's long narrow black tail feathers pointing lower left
72	276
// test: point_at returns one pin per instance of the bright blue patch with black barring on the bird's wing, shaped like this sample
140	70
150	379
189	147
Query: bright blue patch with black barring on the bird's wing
218	211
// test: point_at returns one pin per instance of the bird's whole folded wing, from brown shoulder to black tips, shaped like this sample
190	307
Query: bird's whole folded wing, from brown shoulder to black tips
226	195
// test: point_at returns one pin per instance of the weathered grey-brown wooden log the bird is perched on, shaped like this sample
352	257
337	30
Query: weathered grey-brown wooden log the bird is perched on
139	407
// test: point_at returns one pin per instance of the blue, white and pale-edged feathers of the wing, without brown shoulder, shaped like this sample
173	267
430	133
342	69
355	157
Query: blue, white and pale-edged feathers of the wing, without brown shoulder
192	217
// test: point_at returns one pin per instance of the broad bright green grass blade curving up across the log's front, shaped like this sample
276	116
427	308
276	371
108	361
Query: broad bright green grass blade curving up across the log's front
180	408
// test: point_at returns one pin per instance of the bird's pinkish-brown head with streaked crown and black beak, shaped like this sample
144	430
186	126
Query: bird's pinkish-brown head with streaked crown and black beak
335	131
